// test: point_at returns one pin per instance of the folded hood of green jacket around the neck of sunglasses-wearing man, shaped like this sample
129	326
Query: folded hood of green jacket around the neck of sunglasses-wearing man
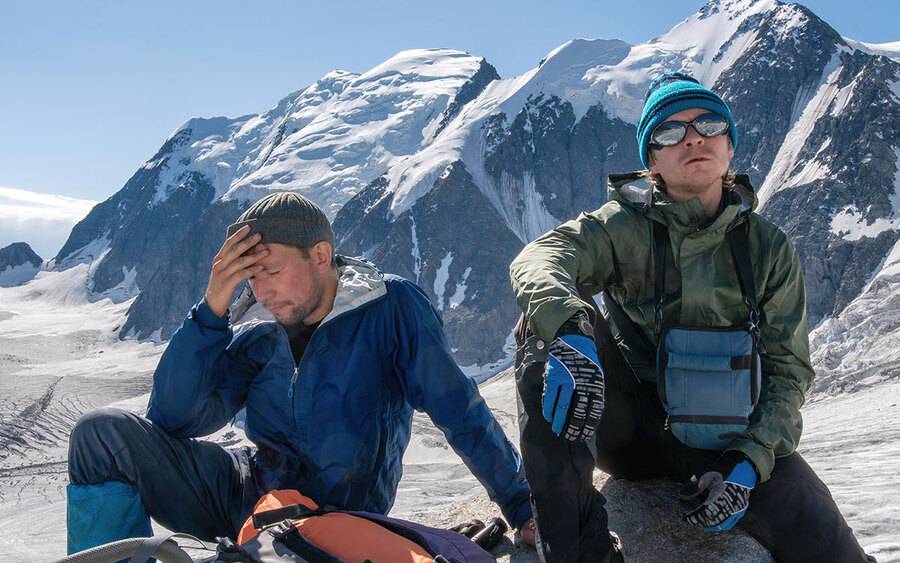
635	191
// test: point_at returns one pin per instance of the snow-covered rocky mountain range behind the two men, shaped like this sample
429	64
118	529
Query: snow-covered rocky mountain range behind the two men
439	170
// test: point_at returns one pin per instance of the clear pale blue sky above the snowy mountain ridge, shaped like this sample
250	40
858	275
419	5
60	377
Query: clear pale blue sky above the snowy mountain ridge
90	90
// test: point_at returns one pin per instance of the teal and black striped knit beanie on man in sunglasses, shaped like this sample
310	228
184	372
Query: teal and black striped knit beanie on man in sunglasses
671	93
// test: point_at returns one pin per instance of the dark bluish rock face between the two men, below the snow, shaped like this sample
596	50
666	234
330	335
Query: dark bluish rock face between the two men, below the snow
453	244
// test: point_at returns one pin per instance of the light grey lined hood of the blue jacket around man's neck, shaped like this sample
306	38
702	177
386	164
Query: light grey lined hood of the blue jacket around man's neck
359	283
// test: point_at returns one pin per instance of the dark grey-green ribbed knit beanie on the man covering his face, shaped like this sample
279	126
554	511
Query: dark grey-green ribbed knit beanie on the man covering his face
286	218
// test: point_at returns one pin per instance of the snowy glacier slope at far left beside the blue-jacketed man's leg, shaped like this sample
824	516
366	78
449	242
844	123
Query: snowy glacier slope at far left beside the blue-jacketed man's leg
59	357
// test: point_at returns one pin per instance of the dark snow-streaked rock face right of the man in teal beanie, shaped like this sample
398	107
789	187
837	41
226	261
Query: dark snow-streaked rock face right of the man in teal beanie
843	225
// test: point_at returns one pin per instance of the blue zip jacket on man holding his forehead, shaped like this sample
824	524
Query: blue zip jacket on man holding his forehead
336	424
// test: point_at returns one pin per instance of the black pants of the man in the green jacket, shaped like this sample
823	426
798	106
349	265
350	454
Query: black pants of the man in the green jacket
792	514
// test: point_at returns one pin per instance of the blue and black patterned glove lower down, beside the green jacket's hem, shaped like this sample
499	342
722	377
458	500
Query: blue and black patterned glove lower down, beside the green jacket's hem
723	501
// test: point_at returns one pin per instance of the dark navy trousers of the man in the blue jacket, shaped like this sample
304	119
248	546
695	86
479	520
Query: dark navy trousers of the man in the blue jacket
186	485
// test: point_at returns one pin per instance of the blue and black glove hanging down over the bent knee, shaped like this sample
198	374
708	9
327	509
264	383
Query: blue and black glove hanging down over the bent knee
573	387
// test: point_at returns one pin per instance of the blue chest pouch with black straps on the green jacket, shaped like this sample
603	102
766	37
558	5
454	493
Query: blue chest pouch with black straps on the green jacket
709	379
